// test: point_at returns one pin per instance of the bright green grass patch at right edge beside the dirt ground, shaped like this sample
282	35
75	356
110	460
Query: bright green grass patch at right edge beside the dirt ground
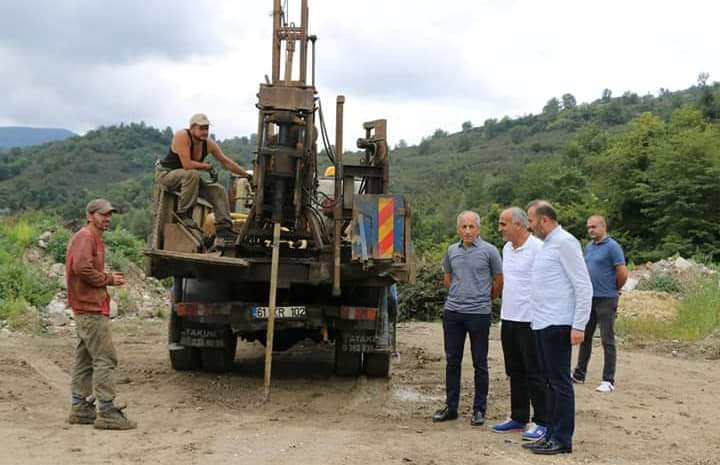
698	314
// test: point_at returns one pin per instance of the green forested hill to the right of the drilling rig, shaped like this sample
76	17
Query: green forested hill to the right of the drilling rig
651	164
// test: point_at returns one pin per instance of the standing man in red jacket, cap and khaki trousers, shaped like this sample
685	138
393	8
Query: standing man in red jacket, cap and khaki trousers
95	357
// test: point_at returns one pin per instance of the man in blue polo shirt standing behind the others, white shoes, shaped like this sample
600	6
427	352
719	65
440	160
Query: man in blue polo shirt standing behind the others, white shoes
606	263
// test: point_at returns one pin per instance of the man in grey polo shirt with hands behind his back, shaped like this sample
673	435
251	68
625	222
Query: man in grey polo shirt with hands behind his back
473	275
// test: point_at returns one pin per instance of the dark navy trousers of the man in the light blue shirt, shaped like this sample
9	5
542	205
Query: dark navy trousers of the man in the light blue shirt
556	354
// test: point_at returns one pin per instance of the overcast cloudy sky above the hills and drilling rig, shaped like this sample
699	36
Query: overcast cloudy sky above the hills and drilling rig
422	64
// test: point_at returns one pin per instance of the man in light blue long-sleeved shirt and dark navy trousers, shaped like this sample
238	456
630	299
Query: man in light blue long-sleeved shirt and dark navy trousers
561	297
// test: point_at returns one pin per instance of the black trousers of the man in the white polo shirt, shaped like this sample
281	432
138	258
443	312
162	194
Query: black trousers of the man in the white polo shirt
524	367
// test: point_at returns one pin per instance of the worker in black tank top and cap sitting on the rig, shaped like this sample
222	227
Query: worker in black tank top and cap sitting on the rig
180	171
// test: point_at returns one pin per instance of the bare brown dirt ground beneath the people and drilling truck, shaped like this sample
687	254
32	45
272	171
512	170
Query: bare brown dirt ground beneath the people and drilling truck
665	411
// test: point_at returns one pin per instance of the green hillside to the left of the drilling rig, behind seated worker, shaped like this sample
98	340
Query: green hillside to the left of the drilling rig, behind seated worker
115	161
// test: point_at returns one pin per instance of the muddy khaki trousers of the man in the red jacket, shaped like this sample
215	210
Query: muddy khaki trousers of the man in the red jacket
95	358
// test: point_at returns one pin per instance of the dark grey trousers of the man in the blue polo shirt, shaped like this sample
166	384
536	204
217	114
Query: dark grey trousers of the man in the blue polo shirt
604	310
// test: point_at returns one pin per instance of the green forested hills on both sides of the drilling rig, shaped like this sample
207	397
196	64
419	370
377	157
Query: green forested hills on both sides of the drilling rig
650	163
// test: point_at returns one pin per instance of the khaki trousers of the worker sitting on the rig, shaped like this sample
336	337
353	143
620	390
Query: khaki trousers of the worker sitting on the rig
189	185
